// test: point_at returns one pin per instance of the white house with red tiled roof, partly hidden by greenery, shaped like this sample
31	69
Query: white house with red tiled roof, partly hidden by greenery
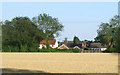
52	43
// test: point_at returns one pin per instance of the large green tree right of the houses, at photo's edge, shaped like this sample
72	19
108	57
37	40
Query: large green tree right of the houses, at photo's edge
109	33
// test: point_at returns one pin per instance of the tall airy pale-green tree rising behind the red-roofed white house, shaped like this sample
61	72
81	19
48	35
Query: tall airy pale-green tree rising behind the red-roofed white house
49	25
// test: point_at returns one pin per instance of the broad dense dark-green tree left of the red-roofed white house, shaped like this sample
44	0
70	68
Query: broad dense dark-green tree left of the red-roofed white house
20	33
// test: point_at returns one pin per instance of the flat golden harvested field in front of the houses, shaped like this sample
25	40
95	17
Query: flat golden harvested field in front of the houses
62	62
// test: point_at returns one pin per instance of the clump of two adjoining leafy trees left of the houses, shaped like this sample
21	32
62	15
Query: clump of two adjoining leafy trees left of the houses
23	34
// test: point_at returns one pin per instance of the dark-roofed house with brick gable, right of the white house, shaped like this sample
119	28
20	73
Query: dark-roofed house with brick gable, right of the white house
70	45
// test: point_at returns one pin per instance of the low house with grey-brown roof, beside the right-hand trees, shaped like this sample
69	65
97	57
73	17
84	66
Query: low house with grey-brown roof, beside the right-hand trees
97	46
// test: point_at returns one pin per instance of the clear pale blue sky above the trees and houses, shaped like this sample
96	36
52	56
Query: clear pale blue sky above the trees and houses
80	19
